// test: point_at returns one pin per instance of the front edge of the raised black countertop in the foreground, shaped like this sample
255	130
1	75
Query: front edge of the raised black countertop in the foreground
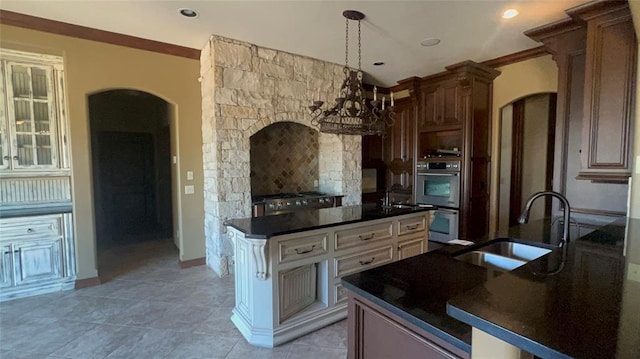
503	334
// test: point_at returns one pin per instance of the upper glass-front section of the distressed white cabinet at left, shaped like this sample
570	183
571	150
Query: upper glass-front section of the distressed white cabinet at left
31	134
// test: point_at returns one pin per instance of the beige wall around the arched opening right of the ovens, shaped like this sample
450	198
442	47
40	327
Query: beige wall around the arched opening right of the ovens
538	75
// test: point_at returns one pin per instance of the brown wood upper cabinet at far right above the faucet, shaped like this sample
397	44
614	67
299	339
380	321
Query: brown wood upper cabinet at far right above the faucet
595	50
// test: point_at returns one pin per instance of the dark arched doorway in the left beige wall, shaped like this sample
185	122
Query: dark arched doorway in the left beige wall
130	148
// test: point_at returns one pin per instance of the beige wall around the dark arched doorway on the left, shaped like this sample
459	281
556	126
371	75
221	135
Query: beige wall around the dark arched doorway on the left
93	67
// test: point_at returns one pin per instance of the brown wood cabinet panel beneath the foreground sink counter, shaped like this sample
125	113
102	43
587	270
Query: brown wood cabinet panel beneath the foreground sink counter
376	333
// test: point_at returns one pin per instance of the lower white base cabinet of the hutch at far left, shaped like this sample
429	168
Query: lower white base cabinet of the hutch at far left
37	255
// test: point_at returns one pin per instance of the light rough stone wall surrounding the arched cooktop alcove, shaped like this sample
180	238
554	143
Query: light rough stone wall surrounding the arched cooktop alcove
244	89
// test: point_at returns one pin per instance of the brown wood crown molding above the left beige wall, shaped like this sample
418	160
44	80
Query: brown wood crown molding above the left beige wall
87	33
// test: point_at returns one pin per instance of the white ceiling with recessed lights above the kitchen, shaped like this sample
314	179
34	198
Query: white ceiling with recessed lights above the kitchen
391	31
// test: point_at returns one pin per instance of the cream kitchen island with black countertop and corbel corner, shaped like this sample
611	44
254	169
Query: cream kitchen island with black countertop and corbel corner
288	267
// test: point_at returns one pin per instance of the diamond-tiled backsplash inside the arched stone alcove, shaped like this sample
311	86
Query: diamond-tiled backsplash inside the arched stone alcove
284	159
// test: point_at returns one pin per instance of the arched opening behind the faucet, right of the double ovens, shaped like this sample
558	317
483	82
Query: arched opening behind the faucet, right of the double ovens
527	141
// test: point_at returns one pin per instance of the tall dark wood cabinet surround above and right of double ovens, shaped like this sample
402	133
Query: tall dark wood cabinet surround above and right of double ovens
455	114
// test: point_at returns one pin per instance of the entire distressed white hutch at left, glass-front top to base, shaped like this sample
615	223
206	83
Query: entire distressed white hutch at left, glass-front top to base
37	249
